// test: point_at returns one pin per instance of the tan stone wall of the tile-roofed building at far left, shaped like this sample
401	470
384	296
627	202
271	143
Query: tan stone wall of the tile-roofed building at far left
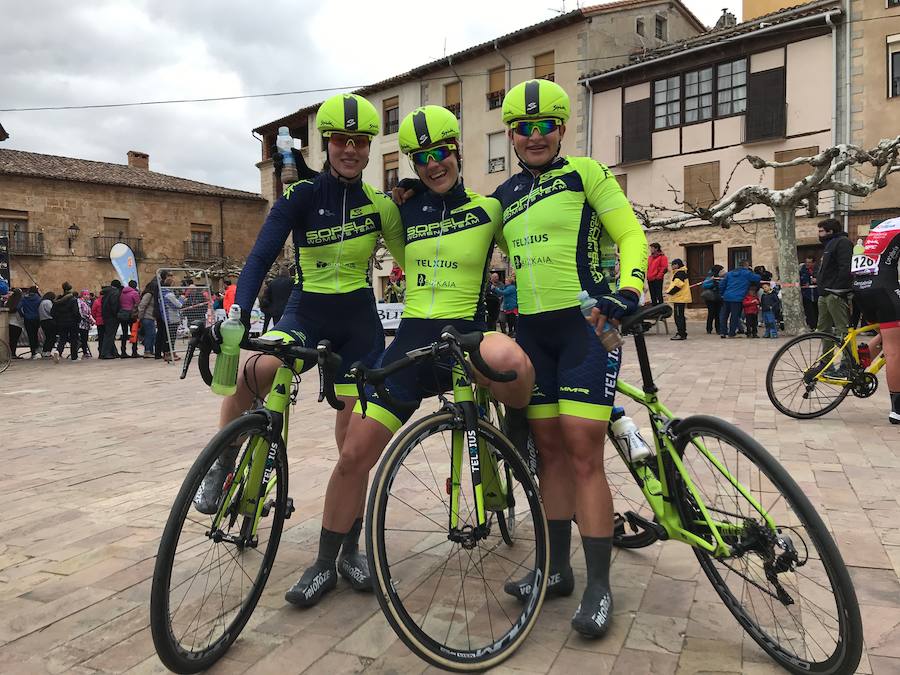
161	219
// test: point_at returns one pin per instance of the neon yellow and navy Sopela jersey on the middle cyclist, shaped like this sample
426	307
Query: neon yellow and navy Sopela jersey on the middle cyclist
449	239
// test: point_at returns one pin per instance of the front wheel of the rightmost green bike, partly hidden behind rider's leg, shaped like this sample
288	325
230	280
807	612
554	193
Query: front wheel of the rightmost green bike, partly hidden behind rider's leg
627	496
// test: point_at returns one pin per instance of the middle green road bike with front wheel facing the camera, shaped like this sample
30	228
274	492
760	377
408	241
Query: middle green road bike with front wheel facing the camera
453	514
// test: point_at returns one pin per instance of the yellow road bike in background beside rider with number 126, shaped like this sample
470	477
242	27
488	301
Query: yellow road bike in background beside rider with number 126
811	374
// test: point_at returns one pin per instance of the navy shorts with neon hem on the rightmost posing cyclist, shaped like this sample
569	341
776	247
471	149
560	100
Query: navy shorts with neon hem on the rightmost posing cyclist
574	374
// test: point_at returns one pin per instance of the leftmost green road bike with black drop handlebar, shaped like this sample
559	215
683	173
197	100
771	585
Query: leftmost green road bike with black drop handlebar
211	570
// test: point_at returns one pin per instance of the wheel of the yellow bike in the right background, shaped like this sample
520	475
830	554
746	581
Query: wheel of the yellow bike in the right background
791	378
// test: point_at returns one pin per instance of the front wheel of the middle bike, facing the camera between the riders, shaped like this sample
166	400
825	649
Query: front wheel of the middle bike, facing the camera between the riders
444	598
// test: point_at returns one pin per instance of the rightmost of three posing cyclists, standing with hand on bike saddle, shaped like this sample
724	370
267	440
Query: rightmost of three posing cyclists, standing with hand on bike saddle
554	214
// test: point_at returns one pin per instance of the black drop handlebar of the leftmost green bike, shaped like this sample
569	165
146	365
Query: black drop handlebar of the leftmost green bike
328	362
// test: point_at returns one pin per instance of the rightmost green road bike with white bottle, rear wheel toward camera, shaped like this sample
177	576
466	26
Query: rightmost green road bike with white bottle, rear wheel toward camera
757	537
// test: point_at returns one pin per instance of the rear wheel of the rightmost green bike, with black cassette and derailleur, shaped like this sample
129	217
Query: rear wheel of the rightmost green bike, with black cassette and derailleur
787	587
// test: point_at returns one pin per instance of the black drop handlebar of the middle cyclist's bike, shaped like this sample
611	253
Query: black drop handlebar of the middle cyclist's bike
451	342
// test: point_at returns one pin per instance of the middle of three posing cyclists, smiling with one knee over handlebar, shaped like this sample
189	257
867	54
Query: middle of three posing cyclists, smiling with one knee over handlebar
449	233
